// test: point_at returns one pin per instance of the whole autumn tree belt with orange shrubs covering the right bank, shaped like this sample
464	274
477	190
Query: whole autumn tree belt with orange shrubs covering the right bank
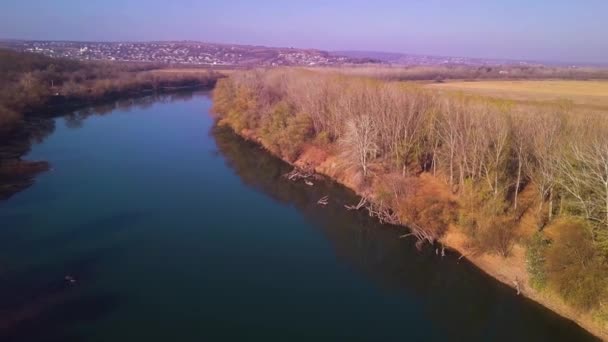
504	173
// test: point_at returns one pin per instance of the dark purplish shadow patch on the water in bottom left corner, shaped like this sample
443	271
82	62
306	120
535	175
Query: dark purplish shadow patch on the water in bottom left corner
43	302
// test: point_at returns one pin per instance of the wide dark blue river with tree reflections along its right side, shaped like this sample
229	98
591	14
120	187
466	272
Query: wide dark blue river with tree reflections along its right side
155	225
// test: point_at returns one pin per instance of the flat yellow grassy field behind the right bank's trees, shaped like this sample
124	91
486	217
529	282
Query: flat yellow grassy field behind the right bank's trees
593	94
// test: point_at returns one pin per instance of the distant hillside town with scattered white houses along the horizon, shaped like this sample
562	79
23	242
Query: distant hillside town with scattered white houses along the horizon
233	55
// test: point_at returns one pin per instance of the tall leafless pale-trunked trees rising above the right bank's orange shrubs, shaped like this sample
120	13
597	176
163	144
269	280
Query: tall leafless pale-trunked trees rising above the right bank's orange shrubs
496	148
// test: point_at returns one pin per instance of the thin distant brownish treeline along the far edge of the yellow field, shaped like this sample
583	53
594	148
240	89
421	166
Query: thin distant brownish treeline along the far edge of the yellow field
440	73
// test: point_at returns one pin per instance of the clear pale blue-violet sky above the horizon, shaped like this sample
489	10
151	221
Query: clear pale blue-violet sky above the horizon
559	30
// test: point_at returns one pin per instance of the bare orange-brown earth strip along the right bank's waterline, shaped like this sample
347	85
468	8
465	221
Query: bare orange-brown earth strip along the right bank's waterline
510	270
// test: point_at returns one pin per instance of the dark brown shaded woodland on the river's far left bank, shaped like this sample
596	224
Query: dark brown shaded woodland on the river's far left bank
29	82
